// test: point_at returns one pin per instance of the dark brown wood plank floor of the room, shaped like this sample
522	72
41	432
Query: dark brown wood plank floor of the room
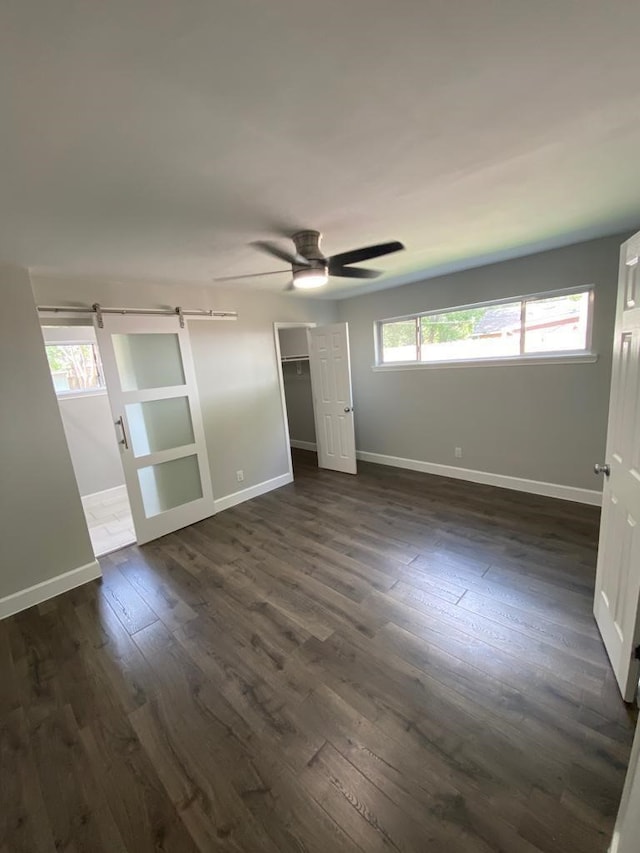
385	662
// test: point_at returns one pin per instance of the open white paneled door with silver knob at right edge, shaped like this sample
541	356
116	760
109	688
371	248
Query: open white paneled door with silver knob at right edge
617	599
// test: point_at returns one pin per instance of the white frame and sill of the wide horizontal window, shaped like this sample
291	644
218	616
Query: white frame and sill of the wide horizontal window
586	355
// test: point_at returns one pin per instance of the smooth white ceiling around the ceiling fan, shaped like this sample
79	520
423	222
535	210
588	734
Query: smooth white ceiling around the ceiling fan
155	139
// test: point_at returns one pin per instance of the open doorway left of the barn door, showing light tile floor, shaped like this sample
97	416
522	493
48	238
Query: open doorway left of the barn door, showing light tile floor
78	380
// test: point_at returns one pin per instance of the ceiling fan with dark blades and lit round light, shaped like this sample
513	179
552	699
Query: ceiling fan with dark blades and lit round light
312	269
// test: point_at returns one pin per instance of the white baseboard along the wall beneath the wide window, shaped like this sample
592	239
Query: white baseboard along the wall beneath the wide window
519	484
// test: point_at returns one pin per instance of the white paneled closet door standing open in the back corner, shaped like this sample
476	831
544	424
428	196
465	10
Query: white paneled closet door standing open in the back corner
330	369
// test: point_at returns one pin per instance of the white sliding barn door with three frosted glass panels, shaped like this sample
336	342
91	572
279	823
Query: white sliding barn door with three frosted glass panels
154	400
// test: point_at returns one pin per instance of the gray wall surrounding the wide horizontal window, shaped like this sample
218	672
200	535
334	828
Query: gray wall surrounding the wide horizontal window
541	422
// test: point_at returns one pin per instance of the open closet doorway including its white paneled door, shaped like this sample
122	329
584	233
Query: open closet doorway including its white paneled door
315	383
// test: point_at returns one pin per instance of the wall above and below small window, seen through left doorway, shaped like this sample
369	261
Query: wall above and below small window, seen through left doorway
88	426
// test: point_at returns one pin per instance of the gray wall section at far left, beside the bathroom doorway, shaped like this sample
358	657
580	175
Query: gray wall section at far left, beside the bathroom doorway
43	532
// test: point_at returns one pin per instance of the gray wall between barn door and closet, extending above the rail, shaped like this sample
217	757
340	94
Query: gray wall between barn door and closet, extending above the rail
235	363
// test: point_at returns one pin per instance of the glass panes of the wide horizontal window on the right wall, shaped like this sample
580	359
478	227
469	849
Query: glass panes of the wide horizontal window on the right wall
522	328
